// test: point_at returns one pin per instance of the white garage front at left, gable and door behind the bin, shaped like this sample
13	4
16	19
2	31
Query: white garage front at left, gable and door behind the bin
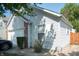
15	29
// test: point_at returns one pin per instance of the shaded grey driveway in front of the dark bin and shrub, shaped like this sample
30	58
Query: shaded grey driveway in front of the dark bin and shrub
25	52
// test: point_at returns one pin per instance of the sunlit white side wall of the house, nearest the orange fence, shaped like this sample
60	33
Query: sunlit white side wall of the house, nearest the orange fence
64	33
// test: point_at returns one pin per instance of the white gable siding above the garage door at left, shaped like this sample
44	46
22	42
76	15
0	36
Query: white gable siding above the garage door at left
16	23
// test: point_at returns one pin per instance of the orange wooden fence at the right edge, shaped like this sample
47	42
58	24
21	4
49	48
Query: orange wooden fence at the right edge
74	38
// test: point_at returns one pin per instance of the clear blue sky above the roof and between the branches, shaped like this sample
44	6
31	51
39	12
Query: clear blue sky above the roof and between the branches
50	6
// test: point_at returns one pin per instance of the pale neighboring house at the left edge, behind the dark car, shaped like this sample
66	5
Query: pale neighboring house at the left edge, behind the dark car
3	22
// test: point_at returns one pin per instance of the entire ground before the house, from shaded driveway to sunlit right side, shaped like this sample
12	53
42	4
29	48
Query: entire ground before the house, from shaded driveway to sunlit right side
67	51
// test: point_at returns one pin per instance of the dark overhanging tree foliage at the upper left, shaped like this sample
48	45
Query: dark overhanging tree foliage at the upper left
17	8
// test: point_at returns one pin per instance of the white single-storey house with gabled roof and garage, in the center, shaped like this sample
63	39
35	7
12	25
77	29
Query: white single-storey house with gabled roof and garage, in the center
45	25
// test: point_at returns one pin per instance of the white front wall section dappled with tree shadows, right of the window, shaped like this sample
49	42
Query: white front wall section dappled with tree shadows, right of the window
51	33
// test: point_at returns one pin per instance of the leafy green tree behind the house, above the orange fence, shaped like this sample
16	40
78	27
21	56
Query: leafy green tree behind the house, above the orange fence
71	12
